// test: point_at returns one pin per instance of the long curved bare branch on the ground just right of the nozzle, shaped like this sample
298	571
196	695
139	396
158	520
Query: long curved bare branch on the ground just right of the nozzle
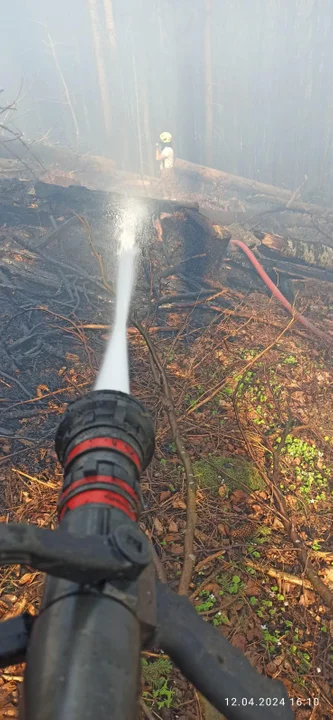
161	379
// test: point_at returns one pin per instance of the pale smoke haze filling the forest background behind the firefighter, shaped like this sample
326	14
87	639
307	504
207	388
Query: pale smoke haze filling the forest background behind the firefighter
243	86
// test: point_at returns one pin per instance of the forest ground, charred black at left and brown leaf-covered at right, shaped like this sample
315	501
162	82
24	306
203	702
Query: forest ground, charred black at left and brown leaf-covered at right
251	393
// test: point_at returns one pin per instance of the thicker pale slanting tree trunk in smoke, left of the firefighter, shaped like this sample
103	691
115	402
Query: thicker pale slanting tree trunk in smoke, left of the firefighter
101	70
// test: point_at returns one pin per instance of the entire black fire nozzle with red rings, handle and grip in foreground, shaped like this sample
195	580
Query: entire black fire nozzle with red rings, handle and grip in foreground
102	603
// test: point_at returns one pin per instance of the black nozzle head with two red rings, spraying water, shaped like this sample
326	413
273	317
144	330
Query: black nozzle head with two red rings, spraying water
104	441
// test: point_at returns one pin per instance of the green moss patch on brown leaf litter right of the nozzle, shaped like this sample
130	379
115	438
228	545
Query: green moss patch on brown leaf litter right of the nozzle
234	472
